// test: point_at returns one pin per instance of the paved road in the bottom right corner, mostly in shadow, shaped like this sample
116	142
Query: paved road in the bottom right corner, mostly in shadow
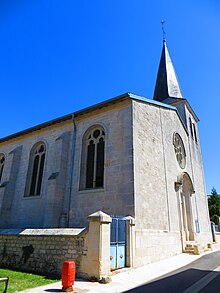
202	275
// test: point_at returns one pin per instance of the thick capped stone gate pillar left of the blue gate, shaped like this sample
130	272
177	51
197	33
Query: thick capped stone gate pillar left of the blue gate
98	258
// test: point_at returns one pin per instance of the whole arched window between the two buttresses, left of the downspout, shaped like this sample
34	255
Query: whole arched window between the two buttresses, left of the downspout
35	170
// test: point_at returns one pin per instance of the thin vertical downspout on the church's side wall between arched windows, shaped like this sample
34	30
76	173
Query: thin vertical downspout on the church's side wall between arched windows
71	170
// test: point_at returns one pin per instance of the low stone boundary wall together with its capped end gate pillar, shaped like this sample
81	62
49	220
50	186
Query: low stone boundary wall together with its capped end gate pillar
43	251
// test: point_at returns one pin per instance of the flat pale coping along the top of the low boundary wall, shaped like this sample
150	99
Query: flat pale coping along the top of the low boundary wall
44	232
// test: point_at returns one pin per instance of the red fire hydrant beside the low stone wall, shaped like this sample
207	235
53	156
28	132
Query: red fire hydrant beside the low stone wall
68	275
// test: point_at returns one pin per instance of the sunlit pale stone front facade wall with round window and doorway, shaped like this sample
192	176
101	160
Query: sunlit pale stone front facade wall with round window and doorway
159	231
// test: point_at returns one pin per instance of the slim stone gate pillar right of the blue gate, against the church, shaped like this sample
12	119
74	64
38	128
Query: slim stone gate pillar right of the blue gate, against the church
130	241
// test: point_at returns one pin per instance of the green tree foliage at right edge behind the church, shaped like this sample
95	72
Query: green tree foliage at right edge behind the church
214	206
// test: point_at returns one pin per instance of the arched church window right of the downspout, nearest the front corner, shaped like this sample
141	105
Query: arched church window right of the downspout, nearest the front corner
93	156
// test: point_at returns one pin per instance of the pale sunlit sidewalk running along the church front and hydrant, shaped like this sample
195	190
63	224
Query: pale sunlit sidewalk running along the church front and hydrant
127	278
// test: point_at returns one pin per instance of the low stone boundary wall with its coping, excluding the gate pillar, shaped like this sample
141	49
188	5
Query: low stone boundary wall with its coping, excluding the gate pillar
42	251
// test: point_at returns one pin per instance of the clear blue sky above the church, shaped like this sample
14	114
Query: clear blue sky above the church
57	57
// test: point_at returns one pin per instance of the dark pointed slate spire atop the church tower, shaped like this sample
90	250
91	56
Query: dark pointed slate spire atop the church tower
167	85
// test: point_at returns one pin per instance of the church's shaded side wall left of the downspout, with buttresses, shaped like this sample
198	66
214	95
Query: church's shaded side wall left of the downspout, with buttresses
49	210
